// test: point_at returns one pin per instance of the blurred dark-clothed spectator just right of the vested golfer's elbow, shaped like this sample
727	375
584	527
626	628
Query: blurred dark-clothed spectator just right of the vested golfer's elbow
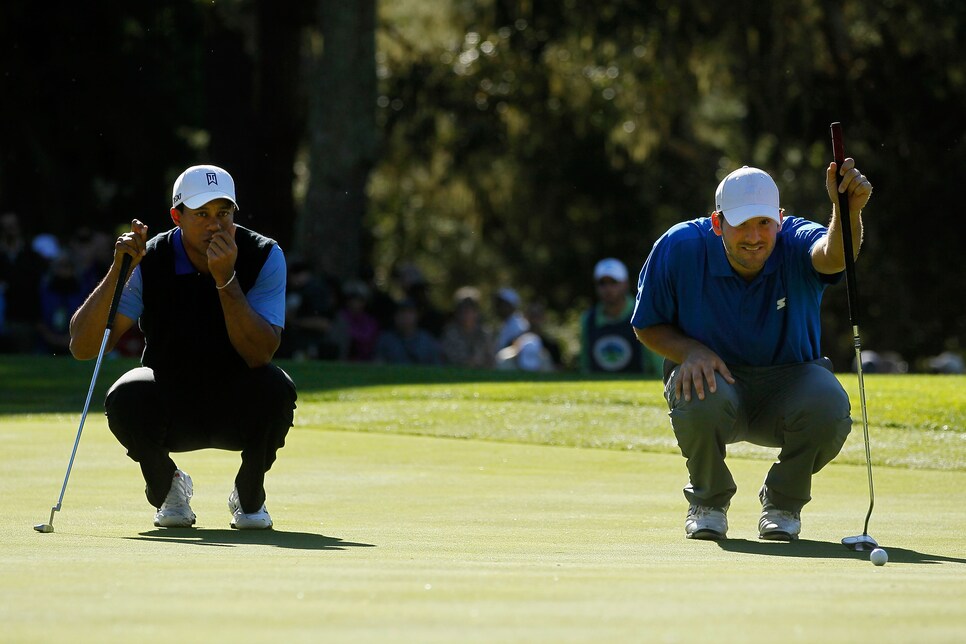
313	329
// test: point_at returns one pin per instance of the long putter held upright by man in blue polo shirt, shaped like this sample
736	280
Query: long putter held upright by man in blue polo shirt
863	541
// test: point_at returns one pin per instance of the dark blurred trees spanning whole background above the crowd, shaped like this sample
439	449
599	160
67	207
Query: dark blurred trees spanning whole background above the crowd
513	142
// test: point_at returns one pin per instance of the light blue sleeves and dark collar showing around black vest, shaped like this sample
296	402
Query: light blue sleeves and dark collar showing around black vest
266	297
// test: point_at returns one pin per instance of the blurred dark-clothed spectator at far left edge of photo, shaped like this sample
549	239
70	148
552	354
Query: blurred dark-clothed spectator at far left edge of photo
21	269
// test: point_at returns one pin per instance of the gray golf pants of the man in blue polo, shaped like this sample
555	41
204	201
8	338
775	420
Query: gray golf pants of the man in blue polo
800	408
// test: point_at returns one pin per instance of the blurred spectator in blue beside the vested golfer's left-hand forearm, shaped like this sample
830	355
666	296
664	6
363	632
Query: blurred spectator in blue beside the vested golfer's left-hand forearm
61	293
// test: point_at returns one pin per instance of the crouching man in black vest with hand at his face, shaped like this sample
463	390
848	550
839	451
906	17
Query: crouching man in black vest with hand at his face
210	299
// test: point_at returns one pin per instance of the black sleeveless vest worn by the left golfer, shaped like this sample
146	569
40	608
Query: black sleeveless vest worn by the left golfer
183	322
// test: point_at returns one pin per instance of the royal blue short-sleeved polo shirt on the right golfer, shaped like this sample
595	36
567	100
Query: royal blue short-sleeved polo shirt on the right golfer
774	319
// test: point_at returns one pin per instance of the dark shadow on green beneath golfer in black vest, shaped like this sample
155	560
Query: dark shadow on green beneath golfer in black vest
231	538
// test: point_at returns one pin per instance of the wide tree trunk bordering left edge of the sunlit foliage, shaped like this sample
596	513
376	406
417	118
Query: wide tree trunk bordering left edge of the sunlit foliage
342	139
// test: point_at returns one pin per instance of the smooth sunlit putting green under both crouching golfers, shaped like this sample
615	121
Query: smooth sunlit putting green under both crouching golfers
405	538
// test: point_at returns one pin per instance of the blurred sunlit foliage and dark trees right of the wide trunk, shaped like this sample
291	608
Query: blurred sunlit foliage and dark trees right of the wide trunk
541	136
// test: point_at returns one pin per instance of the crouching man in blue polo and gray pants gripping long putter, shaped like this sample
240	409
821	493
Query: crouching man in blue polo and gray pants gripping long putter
732	301
